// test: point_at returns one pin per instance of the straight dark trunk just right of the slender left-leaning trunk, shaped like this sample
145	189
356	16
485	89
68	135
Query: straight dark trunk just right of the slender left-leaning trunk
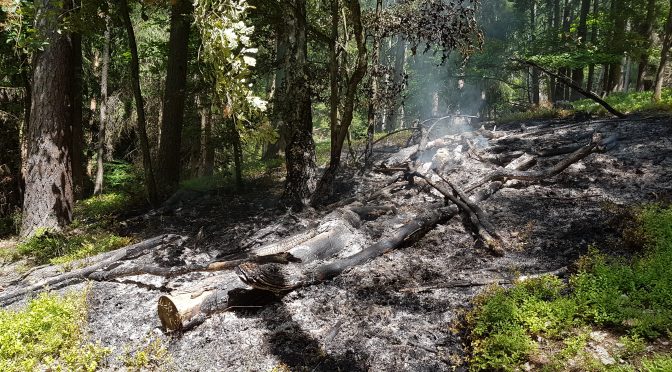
173	99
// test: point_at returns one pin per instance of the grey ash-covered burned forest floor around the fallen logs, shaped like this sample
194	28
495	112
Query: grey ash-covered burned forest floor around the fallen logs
400	311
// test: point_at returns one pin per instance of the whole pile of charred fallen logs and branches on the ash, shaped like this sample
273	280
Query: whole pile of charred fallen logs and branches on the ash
342	239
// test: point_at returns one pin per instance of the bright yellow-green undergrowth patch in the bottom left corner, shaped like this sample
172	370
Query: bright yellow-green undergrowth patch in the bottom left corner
48	335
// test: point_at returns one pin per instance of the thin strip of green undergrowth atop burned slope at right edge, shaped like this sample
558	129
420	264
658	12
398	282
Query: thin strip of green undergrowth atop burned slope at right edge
627	103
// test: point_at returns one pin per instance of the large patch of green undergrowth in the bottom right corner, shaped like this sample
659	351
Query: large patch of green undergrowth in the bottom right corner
548	322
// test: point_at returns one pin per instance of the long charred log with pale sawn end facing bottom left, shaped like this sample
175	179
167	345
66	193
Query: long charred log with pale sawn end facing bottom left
180	311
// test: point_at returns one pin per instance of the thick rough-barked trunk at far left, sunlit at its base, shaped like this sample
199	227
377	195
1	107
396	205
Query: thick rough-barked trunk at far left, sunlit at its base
49	197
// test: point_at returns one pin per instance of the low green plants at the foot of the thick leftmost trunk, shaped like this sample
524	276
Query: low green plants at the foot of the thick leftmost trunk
57	248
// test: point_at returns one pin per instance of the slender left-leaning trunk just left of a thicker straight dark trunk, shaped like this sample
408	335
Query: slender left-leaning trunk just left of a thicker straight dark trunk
139	105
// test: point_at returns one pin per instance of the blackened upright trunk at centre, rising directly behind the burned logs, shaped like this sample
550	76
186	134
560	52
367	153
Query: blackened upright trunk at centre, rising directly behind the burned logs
296	110
